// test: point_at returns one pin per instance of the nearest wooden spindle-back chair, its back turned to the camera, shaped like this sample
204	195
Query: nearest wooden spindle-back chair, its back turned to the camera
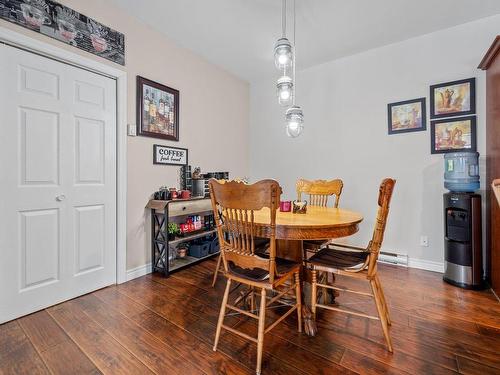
234	205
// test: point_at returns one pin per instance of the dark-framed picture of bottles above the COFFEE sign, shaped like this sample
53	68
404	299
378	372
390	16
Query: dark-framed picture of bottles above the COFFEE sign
157	110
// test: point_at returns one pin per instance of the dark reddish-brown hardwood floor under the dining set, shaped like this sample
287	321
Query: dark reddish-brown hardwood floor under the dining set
166	326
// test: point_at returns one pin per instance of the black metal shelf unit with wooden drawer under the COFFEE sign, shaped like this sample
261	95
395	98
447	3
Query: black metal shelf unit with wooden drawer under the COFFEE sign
161	213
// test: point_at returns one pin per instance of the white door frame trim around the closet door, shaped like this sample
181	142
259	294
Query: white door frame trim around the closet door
49	50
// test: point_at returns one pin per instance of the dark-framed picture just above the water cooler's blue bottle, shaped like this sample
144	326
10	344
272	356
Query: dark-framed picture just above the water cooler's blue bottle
453	135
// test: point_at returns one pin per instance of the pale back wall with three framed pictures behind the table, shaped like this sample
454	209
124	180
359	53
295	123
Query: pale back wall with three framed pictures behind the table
345	136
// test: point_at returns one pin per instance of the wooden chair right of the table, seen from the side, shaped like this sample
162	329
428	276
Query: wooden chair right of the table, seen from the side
357	262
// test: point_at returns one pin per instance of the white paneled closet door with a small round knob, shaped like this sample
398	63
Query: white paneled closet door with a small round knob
58	182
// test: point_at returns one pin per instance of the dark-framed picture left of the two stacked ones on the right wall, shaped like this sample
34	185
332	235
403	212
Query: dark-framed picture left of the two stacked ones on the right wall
406	116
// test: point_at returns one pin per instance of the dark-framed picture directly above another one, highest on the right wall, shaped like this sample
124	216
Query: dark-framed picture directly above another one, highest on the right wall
456	98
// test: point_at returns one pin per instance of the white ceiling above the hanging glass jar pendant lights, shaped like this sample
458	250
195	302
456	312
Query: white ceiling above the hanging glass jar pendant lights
239	35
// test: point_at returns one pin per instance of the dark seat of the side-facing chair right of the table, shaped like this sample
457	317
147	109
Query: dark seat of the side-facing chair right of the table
331	257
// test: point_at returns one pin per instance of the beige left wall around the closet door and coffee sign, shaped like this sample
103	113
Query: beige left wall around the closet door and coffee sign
214	113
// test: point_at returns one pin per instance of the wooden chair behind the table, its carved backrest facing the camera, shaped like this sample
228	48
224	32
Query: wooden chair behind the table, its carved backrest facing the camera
319	193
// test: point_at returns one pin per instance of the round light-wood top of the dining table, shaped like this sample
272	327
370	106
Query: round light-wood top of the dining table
316	224
